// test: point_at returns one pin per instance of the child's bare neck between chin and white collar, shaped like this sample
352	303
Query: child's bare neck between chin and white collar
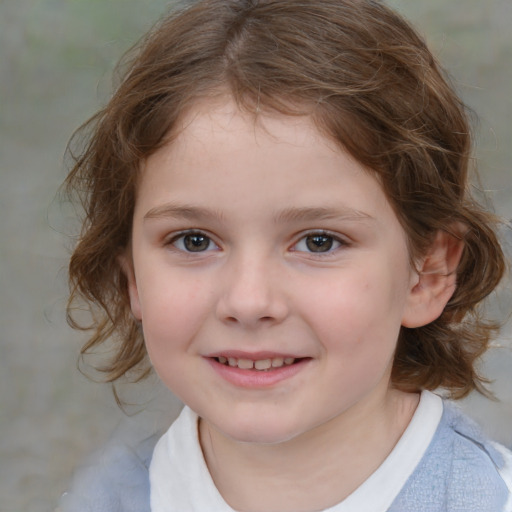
313	471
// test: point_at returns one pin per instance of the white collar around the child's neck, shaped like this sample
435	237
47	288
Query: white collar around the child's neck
180	480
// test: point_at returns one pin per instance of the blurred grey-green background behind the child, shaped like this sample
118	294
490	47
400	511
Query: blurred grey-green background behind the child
56	58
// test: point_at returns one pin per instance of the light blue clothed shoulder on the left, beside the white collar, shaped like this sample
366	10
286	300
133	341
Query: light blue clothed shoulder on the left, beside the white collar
114	479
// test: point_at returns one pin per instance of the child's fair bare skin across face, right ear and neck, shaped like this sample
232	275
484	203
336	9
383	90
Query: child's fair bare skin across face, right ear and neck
253	195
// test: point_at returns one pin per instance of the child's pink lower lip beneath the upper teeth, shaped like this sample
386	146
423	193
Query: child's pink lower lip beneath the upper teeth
257	379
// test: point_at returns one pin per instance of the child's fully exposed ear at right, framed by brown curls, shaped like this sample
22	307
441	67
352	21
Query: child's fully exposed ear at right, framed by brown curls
436	280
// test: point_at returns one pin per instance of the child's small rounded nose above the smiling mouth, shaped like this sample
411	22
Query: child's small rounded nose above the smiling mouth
252	294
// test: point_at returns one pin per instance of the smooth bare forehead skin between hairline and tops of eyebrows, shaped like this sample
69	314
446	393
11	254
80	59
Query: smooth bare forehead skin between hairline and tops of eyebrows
216	137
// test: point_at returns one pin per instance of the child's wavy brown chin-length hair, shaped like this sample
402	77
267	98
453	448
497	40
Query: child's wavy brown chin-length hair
369	82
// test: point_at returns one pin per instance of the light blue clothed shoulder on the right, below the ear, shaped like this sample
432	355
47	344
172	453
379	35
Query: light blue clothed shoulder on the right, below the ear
461	470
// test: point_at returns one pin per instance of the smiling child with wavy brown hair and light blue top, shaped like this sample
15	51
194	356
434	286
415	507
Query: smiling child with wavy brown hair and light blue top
278	218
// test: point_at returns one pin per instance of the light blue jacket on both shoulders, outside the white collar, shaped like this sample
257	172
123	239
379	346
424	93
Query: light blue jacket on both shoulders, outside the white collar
460	472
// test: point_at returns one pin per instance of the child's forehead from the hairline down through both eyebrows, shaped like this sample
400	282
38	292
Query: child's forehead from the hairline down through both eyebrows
265	167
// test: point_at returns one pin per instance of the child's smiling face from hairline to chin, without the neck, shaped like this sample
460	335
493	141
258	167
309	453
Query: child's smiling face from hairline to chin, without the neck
270	274
